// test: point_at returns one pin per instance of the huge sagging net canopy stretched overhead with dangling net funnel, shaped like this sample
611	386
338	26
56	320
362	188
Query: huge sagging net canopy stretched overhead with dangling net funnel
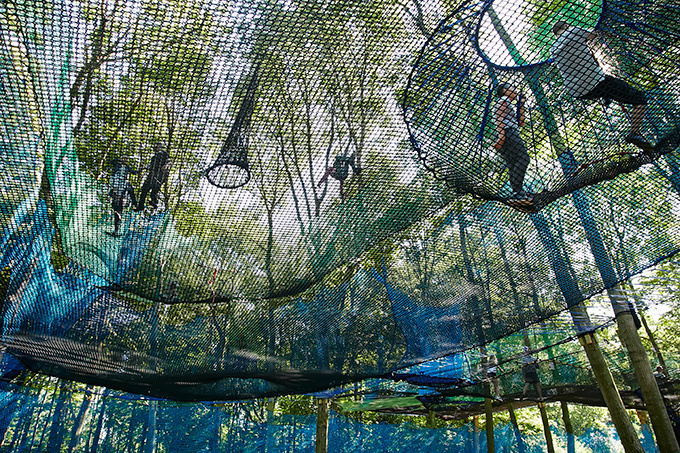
214	200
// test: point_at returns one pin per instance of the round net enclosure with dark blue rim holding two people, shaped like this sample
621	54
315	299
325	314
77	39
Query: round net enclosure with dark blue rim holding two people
488	48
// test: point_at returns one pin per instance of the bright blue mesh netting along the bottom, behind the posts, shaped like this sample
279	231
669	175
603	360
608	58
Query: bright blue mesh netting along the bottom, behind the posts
95	420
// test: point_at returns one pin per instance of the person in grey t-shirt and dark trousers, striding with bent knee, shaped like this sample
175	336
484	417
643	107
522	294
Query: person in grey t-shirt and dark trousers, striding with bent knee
584	78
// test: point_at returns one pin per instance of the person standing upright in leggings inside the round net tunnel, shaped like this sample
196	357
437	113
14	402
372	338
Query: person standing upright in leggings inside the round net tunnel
509	118
